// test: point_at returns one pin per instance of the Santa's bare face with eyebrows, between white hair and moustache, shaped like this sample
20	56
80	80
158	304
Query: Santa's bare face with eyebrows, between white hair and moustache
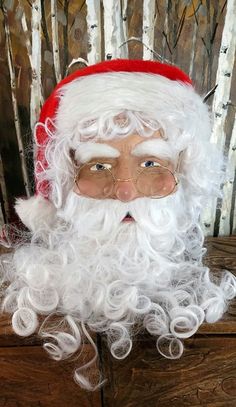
126	169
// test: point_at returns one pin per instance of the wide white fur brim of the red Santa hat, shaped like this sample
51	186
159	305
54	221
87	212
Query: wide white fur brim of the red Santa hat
175	104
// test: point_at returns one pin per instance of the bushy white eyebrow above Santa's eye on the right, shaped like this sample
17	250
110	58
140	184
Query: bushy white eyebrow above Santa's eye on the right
158	148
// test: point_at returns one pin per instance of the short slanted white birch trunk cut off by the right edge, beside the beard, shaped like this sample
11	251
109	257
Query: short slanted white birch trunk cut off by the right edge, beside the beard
228	187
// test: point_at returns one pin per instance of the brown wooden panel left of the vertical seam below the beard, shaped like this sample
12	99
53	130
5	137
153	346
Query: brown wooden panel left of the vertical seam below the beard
29	378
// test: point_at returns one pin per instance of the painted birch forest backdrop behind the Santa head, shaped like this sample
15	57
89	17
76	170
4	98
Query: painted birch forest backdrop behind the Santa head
42	41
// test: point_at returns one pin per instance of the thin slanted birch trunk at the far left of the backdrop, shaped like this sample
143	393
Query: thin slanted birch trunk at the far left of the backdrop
15	106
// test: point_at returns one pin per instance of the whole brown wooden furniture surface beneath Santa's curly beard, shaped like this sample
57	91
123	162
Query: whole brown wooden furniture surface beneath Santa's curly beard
204	376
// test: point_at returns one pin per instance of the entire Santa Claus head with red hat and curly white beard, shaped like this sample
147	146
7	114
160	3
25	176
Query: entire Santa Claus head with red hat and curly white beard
124	168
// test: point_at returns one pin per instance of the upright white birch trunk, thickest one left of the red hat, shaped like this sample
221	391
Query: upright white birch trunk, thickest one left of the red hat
36	95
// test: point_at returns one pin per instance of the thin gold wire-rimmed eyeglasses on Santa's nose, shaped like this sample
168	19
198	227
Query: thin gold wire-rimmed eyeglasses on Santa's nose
134	180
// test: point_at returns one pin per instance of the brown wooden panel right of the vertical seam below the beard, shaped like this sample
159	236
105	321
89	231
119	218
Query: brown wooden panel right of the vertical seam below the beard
204	376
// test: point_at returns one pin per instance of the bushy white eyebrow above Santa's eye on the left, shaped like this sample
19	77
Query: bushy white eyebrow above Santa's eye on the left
89	150
